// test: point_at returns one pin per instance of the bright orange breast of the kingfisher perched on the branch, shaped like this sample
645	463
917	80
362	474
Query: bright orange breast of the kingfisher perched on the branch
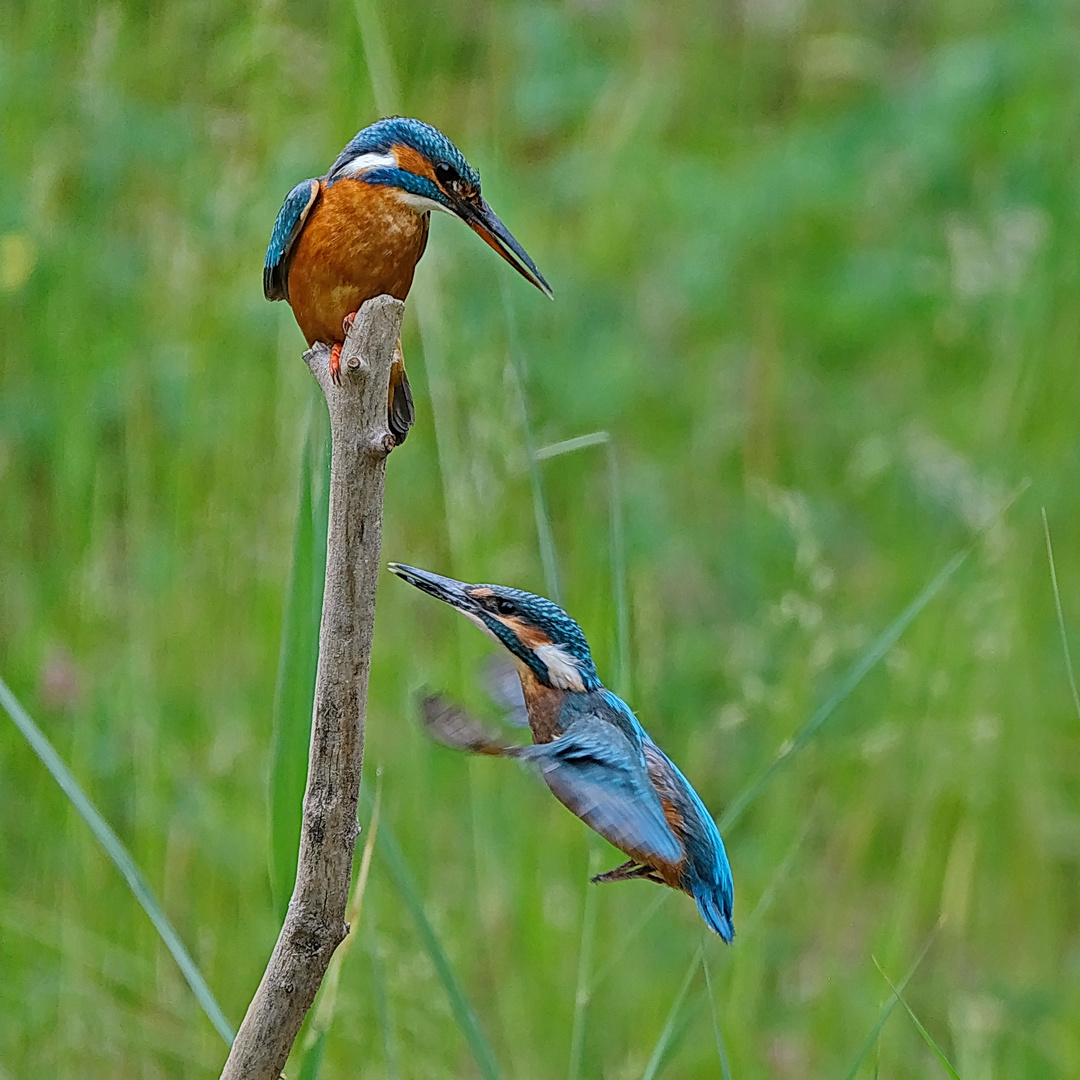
360	241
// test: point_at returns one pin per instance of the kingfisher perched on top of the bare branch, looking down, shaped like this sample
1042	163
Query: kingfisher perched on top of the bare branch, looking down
360	231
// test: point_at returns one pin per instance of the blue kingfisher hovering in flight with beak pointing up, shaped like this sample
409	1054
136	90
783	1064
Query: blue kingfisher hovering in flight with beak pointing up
590	748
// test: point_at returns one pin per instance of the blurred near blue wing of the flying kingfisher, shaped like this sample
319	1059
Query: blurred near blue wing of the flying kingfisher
597	773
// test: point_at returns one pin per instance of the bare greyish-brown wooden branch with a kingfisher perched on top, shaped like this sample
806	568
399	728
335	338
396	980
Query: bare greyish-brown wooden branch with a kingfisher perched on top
315	925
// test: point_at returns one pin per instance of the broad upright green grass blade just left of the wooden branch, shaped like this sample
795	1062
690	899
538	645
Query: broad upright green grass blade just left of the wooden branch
298	660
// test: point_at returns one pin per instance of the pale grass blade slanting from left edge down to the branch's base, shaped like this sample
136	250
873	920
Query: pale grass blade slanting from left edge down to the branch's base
120	857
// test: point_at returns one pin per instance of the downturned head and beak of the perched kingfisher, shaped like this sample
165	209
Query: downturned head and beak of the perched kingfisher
430	173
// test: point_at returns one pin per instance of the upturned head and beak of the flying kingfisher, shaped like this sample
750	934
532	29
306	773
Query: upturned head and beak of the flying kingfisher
539	634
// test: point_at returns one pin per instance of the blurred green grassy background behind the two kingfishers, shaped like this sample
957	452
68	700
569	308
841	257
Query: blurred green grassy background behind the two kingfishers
816	277
